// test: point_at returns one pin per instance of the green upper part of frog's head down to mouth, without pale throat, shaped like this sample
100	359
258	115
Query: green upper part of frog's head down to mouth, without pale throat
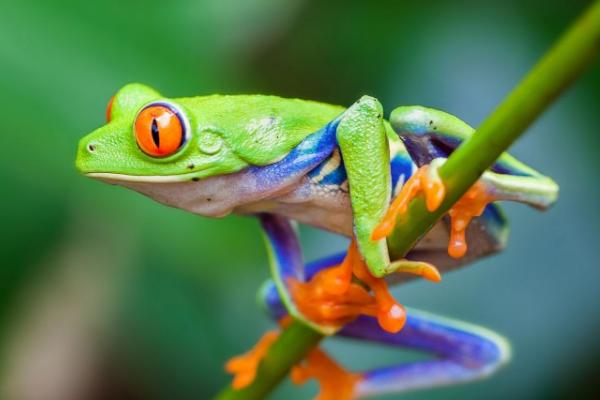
151	139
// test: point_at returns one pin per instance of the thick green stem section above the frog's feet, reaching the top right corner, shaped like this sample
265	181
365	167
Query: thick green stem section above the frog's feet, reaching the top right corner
552	75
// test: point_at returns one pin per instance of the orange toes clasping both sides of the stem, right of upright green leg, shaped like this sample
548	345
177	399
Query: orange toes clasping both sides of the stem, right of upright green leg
427	181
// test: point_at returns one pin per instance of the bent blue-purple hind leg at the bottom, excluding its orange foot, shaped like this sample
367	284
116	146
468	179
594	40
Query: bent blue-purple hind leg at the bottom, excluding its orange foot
465	352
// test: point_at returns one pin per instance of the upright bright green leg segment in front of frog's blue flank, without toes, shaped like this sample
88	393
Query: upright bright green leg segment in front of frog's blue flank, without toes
362	139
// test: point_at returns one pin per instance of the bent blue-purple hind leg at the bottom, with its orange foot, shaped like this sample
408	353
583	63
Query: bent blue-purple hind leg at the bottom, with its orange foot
463	352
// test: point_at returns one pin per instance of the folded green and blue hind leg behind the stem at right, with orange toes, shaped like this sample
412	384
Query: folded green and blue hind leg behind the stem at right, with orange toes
430	136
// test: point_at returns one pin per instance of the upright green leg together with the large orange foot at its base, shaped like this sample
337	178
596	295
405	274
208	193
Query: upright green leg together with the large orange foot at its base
331	298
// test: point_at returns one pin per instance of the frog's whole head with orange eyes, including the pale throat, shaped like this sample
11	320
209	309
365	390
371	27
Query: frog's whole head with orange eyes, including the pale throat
161	147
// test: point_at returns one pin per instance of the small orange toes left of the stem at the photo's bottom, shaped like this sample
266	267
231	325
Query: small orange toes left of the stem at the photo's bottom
244	367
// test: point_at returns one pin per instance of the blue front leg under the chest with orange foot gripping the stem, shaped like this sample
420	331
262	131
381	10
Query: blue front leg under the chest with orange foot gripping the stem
314	296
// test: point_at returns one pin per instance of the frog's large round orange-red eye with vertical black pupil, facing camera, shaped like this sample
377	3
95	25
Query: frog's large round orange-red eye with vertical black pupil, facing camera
159	130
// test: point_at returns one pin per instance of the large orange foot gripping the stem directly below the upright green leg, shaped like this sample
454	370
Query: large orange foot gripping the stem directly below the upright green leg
332	298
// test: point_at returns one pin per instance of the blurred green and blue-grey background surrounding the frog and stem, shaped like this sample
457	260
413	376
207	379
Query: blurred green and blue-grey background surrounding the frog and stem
106	294
